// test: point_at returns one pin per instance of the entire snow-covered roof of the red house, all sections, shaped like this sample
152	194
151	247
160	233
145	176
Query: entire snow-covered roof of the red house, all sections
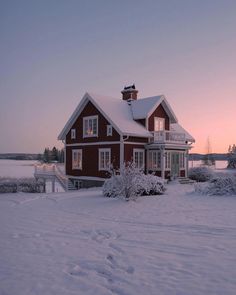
122	115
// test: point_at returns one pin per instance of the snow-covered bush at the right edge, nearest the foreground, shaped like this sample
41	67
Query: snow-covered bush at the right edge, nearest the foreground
219	185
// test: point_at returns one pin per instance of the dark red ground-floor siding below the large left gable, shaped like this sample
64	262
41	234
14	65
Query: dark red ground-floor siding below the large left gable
90	164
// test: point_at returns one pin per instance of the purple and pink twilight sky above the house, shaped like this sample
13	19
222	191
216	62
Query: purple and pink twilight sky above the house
52	52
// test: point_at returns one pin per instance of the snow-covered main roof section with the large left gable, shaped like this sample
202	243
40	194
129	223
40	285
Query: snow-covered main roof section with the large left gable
117	111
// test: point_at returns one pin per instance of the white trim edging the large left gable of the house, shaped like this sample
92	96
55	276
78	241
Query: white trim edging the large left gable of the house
86	98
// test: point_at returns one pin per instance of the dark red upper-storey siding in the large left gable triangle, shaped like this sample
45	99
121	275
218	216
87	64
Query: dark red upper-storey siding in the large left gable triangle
91	110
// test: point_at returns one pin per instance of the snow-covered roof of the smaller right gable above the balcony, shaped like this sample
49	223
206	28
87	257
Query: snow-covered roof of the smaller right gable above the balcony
144	107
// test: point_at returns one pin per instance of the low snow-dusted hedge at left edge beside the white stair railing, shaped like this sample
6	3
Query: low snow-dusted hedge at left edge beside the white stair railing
27	185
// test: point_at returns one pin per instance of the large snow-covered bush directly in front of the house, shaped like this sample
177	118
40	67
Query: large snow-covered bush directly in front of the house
131	182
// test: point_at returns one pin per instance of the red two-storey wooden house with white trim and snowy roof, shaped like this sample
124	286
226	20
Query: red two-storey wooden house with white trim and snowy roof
105	130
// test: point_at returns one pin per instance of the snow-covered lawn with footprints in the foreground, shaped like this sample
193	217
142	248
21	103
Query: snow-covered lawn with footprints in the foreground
82	243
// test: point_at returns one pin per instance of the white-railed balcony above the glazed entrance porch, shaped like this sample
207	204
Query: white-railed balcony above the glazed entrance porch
167	136
